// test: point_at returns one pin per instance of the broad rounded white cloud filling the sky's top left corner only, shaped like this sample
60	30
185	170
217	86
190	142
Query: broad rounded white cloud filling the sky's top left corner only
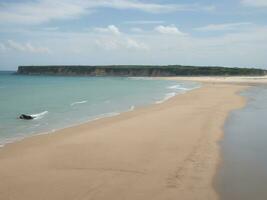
35	12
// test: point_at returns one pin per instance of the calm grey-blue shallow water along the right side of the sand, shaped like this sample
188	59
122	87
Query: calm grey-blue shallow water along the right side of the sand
243	172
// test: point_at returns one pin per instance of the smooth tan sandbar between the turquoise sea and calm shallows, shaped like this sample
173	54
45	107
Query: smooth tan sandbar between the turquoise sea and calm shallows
162	152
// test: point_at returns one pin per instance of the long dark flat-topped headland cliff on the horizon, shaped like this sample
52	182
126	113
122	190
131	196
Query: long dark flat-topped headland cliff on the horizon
153	71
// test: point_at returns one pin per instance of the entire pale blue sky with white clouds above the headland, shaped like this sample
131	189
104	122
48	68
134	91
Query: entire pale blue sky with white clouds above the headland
156	32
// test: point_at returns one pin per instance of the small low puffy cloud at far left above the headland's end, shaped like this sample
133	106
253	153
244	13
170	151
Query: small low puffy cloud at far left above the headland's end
28	47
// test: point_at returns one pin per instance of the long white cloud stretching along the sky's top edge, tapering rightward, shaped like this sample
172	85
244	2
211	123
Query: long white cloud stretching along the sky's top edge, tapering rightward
36	12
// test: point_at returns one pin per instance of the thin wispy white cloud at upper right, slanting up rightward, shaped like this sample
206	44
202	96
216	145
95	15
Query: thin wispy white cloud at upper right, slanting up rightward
223	27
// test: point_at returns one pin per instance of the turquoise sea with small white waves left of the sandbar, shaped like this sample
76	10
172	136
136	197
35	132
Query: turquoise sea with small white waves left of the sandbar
58	102
